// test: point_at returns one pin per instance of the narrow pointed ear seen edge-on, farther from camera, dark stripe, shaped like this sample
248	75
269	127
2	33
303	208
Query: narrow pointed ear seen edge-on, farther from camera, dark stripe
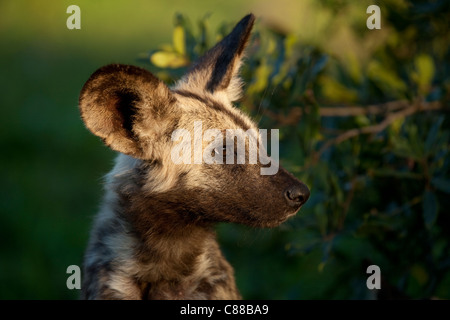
217	70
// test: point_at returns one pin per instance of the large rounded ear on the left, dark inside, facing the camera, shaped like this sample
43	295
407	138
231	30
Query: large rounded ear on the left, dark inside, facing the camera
127	107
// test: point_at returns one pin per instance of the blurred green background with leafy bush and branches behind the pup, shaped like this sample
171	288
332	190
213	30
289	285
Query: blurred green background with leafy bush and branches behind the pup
379	197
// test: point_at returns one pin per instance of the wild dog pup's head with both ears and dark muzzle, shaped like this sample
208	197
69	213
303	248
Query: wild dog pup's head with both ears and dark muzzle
205	156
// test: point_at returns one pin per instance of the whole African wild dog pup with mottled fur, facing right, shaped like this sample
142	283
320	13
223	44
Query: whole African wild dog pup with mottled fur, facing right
154	235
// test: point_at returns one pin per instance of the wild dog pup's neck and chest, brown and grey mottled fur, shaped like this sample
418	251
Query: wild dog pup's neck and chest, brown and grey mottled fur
148	245
